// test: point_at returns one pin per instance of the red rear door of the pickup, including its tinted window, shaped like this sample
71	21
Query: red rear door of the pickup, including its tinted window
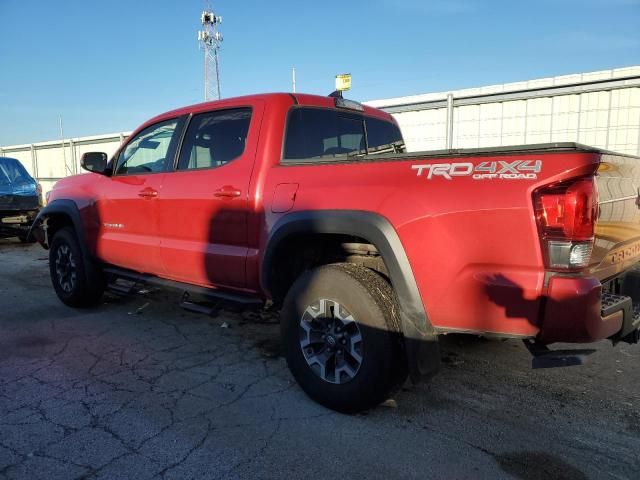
203	213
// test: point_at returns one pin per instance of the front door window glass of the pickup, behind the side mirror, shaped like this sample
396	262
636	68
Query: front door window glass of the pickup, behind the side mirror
150	151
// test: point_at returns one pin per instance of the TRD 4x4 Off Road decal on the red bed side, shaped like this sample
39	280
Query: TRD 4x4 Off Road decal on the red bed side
501	169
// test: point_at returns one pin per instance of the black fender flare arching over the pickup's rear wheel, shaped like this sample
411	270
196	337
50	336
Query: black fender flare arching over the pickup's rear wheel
421	343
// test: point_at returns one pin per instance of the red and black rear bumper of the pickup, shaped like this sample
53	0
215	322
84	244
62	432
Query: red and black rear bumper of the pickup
583	310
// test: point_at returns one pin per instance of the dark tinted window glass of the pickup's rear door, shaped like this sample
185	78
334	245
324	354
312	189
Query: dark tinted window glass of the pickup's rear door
214	139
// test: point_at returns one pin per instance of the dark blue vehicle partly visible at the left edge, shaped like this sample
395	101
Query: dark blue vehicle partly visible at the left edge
20	199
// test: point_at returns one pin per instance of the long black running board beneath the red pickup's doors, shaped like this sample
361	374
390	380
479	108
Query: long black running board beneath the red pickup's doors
209	293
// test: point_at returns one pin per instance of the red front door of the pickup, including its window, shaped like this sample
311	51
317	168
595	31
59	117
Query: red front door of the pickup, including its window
128	203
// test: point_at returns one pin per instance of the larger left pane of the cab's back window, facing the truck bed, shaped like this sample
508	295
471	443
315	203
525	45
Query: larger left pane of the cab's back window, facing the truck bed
323	133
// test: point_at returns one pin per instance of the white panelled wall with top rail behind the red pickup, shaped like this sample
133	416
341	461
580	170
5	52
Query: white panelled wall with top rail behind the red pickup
601	109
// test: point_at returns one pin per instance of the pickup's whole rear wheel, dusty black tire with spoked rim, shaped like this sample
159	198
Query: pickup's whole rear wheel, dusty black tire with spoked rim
340	330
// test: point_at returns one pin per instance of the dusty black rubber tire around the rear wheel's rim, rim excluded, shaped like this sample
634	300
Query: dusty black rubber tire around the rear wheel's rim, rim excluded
386	370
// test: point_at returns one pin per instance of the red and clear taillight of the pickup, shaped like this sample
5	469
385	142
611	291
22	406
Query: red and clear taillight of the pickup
566	214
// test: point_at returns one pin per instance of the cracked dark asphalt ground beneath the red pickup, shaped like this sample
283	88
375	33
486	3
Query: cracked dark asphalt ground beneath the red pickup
139	388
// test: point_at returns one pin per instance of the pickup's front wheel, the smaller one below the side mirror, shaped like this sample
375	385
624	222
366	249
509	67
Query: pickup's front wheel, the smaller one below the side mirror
77	282
